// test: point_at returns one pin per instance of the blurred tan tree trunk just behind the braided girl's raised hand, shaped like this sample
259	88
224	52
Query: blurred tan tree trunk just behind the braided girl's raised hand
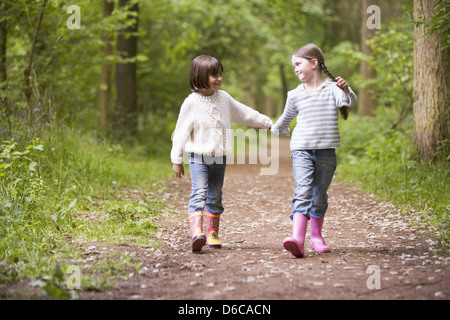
366	96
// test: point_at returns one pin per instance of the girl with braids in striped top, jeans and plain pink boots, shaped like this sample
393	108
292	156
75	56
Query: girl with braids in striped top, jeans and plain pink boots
316	103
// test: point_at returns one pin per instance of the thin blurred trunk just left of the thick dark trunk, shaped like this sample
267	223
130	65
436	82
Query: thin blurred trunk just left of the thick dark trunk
105	82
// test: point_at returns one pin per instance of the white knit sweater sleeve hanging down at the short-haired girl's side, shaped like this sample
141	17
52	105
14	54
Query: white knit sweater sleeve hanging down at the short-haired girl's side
183	129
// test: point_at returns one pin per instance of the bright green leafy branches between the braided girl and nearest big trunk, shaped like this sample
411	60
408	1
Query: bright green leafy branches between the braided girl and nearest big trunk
392	59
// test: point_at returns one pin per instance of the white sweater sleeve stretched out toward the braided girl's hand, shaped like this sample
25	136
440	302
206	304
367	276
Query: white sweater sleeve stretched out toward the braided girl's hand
242	114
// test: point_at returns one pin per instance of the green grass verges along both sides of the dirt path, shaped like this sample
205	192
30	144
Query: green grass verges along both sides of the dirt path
67	192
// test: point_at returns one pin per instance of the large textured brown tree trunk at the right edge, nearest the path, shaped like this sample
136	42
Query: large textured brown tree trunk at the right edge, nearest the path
431	86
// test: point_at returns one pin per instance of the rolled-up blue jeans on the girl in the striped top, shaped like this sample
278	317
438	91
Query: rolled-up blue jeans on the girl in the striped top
313	171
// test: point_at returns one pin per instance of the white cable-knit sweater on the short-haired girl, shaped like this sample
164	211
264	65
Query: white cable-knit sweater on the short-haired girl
204	124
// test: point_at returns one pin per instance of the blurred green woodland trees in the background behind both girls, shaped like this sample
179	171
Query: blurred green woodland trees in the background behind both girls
124	73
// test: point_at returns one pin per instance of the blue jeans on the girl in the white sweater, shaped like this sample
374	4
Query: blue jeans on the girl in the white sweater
207	174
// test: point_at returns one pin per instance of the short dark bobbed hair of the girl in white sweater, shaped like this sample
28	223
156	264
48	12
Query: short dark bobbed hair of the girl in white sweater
201	68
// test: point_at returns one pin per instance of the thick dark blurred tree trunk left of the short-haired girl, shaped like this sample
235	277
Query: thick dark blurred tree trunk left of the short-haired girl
126	115
